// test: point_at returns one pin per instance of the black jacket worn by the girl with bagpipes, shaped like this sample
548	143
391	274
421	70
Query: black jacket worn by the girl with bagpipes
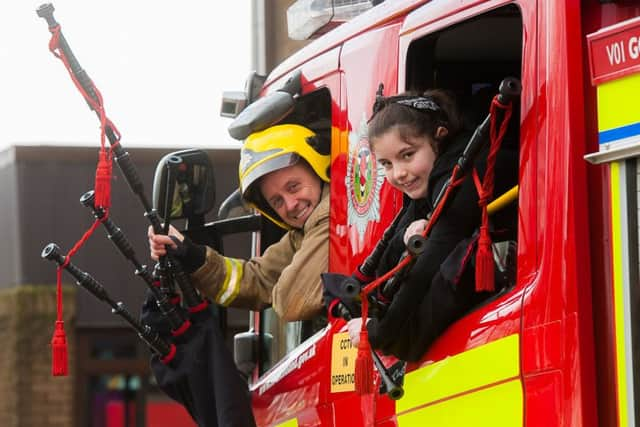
427	301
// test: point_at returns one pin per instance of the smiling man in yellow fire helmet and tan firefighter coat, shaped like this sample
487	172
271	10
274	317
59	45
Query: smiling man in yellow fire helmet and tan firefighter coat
283	174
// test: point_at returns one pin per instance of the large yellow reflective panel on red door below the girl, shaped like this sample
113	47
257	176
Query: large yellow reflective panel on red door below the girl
471	388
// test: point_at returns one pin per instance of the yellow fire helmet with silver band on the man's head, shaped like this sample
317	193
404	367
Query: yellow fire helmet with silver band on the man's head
276	148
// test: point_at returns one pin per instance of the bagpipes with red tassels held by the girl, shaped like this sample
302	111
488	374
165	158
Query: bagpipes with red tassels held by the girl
355	294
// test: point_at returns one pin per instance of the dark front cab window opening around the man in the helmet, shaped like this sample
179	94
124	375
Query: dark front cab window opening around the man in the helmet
312	110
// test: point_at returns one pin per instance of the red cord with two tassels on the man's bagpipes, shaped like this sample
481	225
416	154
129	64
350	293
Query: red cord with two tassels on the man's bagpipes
102	191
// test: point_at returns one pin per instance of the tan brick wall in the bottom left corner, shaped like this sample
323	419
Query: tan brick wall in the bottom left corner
29	395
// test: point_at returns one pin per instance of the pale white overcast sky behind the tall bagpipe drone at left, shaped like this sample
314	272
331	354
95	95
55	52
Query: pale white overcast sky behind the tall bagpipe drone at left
161	68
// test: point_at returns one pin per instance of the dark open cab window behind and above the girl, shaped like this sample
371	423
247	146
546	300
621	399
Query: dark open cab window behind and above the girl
470	59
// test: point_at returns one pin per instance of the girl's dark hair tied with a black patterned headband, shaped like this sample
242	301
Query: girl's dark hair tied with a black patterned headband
417	115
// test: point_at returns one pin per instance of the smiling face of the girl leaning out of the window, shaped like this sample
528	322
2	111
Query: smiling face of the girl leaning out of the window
407	164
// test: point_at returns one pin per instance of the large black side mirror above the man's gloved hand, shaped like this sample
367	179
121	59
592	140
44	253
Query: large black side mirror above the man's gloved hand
184	180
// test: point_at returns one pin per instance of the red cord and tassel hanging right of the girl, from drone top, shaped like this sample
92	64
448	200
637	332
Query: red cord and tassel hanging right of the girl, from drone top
485	269
